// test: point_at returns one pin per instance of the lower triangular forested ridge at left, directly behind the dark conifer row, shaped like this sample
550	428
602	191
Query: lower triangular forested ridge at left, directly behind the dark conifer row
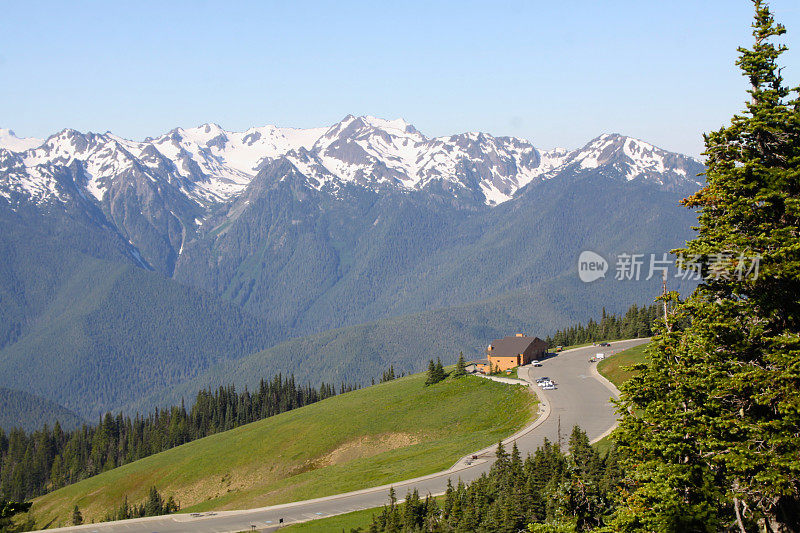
114	333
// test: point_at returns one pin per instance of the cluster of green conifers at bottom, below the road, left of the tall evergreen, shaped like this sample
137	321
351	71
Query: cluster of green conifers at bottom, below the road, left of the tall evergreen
547	491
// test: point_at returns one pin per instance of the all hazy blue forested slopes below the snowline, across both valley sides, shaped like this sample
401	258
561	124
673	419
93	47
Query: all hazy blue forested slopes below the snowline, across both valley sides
111	334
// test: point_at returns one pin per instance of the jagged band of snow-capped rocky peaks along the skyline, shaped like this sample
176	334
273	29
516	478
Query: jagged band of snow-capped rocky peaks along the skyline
209	165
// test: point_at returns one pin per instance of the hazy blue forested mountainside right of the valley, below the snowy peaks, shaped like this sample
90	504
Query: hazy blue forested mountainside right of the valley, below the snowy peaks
358	256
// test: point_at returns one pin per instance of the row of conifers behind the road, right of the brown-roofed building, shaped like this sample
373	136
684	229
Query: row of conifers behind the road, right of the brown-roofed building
637	322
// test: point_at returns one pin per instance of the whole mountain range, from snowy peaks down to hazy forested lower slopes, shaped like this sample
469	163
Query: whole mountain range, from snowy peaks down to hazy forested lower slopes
133	272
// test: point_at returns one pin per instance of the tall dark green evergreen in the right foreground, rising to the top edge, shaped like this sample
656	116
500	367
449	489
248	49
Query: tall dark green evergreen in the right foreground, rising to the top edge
714	439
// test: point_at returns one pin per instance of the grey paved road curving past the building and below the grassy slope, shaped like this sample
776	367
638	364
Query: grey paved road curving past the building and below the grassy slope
582	398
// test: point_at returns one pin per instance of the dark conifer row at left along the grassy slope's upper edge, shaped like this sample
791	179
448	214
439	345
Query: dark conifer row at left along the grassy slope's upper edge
34	463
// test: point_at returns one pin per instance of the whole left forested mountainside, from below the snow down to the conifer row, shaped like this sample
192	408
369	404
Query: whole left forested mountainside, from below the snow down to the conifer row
92	331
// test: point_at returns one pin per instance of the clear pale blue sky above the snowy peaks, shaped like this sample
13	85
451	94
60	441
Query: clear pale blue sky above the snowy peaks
557	72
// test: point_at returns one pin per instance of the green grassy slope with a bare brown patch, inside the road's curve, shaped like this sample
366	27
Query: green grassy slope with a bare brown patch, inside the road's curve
380	434
